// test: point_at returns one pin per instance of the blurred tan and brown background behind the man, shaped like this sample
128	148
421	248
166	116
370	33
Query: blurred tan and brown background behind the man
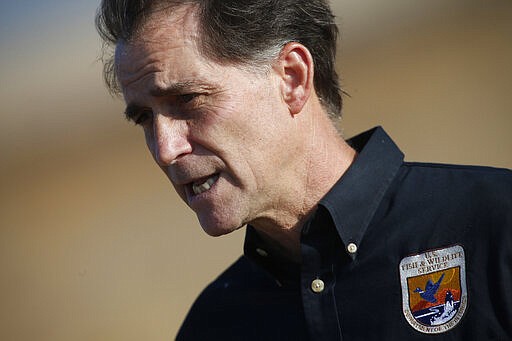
95	245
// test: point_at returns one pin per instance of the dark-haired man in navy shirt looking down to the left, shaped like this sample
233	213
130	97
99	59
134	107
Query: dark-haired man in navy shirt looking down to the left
344	239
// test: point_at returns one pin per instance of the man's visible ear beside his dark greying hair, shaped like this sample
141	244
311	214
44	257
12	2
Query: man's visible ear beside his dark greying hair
295	68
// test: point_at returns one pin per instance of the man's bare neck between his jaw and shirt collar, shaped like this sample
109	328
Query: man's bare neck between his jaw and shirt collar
324	160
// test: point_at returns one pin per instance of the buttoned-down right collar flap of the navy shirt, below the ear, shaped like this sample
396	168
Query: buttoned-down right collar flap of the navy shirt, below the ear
353	200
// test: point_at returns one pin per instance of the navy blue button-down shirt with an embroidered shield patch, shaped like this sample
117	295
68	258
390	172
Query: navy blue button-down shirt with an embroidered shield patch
394	251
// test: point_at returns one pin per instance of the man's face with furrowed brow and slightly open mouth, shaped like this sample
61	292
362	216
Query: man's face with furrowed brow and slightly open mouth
218	132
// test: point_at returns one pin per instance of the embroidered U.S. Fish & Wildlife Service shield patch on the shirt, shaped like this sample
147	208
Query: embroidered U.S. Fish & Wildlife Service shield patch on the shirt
434	295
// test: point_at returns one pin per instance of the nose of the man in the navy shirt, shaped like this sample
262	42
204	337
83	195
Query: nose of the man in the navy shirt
169	140
